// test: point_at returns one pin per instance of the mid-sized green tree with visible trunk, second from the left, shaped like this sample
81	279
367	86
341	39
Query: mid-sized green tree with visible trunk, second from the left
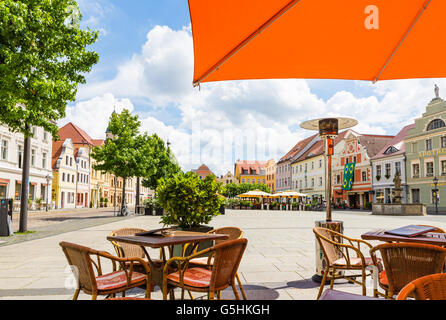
125	153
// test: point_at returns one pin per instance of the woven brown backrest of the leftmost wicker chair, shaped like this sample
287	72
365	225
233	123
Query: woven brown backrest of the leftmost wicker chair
79	257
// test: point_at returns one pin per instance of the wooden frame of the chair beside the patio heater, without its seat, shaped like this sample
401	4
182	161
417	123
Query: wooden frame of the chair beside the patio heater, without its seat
345	251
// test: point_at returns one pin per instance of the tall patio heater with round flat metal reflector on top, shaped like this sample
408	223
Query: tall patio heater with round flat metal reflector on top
328	130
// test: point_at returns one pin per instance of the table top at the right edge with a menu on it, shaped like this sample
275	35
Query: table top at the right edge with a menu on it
427	238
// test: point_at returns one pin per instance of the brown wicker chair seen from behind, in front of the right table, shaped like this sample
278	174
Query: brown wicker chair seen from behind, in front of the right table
405	262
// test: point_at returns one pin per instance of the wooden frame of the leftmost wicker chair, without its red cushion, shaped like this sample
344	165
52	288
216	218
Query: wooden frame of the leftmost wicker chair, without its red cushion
92	288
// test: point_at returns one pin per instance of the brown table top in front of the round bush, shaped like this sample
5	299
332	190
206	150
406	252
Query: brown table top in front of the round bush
157	240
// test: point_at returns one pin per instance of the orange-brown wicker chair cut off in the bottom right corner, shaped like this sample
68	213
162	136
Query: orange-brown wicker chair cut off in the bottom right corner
431	287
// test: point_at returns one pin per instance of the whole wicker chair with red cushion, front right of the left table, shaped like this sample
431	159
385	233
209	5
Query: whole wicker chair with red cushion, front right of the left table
226	258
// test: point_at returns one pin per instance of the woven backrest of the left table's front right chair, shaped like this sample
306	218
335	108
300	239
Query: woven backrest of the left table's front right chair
227	257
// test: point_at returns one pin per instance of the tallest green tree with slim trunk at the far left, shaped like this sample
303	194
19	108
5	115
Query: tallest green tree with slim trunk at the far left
43	58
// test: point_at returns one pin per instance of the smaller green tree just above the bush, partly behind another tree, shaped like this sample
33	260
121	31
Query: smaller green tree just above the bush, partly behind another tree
163	164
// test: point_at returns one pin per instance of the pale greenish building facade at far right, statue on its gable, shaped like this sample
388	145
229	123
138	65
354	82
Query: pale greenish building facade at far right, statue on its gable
426	157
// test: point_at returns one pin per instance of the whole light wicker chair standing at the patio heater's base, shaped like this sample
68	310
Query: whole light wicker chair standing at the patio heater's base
343	257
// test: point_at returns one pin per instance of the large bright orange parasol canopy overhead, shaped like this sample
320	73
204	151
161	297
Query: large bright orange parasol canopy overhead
318	39
